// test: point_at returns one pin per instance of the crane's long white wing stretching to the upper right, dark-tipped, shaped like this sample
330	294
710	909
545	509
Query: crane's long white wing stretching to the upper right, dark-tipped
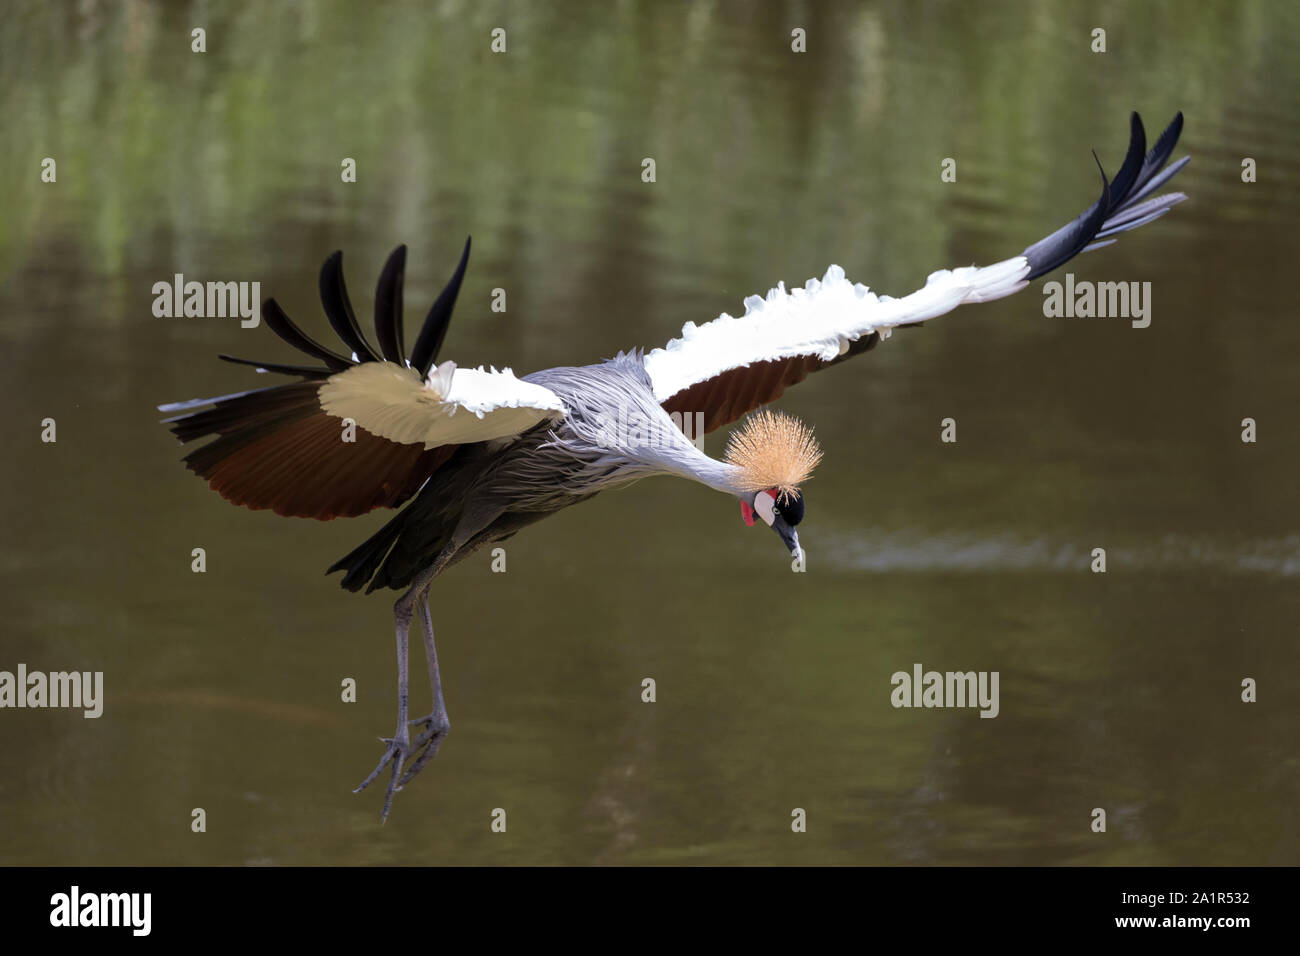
733	366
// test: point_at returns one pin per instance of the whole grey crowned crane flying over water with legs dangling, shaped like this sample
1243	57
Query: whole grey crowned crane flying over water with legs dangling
478	455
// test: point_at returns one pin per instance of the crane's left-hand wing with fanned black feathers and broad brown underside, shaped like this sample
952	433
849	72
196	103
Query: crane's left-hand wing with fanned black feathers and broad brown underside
285	448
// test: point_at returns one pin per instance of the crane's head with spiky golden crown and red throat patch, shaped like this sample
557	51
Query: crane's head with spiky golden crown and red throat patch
774	455
